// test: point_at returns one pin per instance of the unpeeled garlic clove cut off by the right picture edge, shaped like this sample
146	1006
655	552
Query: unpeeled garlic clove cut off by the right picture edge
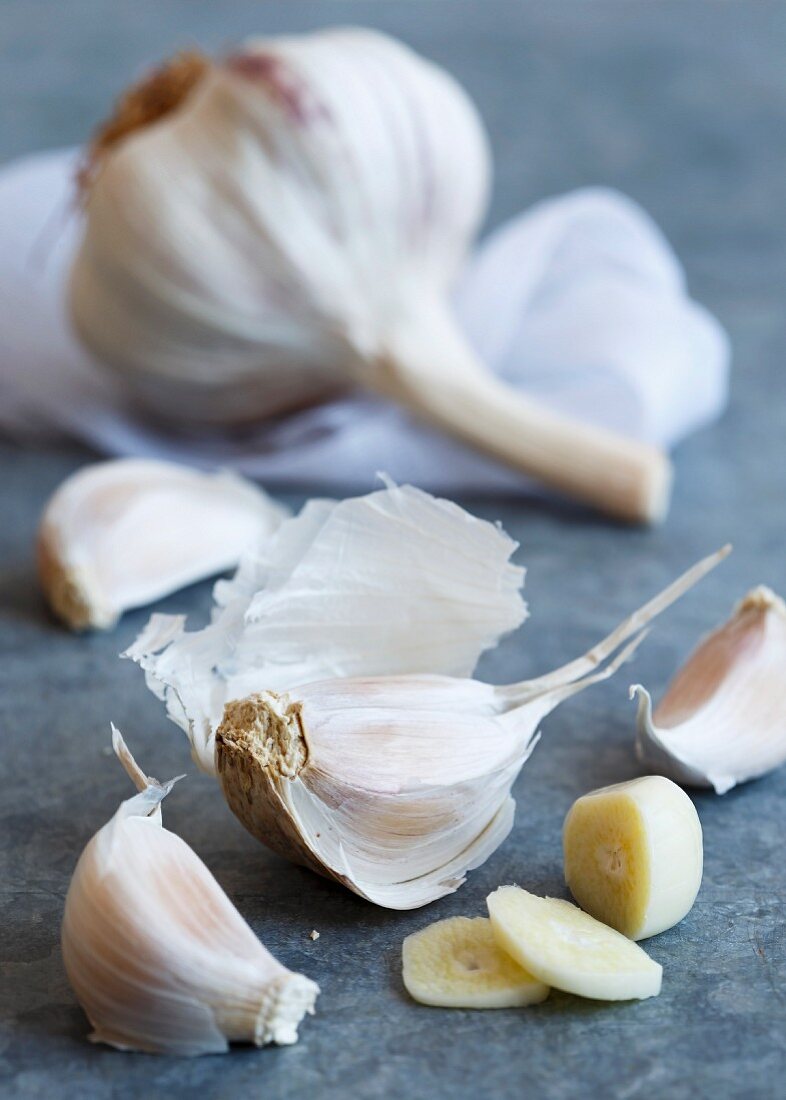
722	721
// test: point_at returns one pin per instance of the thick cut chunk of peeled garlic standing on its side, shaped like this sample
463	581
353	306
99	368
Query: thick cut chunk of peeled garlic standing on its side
634	855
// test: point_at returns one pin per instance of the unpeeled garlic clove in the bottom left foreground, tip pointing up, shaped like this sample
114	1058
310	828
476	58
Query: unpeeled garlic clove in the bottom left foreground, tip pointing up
158	954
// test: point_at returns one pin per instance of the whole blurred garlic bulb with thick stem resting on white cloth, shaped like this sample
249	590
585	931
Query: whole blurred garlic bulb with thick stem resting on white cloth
291	227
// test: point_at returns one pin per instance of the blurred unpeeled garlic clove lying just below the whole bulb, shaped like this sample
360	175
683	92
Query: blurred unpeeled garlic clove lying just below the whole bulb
123	534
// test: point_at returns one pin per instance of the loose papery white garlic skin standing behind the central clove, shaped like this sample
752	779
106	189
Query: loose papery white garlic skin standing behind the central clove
393	582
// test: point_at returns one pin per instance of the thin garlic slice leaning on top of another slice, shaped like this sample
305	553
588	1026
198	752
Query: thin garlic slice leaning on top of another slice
570	950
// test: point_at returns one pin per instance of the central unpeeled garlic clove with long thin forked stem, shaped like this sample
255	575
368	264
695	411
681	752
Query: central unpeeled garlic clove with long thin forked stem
398	786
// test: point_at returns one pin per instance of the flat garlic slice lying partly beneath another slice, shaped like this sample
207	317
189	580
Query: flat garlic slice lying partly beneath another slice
457	964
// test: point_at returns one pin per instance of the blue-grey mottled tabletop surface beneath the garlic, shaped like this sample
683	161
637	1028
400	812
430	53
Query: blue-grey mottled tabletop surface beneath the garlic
682	105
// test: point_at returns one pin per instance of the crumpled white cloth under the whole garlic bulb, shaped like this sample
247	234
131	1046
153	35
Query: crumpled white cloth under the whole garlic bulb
580	302
